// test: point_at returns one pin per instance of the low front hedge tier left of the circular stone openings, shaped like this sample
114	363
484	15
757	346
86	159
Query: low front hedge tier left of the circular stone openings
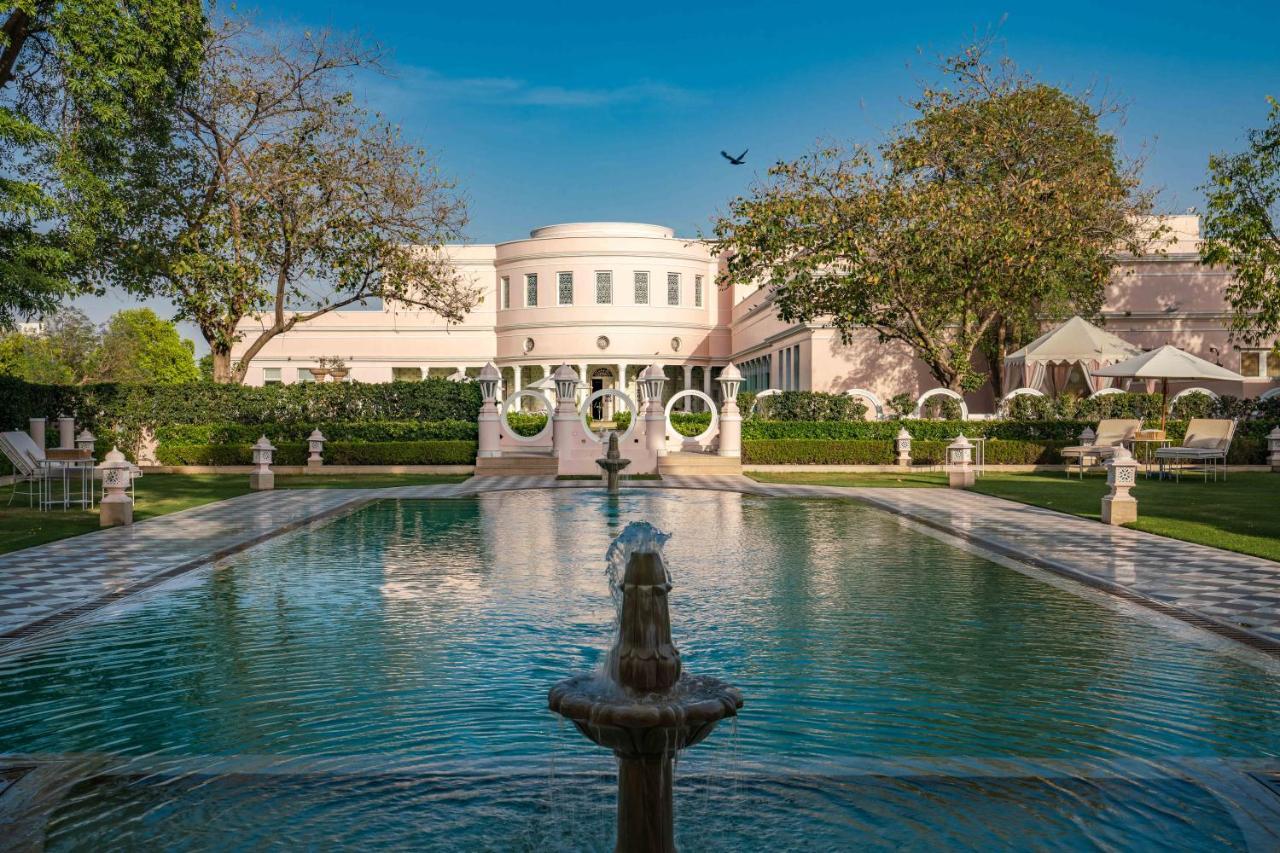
414	453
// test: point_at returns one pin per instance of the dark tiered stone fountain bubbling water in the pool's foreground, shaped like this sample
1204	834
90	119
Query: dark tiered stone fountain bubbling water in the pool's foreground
643	706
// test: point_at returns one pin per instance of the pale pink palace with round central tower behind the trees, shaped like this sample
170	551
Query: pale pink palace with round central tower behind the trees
611	299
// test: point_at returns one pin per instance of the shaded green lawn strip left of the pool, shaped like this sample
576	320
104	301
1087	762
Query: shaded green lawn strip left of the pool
164	494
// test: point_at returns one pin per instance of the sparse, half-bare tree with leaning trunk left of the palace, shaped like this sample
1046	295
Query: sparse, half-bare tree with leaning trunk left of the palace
286	200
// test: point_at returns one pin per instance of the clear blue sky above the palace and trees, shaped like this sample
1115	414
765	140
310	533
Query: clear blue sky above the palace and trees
566	112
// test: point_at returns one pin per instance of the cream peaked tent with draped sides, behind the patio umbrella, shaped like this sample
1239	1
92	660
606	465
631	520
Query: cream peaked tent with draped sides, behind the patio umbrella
1054	354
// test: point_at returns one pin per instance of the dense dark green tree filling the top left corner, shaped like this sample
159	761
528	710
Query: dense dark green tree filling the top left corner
83	84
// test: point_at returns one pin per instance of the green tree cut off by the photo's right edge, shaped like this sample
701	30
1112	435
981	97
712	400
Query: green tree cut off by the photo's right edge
1242	230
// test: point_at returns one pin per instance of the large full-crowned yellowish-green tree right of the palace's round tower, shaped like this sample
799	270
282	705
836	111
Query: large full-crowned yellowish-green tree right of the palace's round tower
1003	202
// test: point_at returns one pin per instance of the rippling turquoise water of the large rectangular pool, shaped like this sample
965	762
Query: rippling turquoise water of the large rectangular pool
381	682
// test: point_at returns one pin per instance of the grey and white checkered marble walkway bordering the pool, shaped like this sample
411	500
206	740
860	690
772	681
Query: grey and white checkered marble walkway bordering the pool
1232	594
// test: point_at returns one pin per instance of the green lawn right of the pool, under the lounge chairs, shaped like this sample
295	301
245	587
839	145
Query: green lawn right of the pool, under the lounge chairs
1242	514
